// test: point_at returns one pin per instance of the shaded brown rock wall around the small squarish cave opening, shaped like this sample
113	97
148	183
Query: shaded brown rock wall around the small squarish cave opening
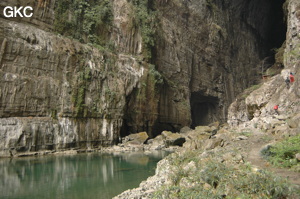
210	49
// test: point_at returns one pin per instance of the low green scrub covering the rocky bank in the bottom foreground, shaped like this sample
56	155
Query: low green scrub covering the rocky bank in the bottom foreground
213	179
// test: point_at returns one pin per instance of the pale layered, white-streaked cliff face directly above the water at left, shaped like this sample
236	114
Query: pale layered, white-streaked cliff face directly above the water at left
58	93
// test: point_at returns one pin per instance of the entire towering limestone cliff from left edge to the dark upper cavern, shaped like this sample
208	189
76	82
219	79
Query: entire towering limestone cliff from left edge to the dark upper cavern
82	74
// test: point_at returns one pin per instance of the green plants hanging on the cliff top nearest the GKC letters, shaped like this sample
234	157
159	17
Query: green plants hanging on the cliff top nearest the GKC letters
86	21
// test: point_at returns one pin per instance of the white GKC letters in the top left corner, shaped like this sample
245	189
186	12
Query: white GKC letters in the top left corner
10	11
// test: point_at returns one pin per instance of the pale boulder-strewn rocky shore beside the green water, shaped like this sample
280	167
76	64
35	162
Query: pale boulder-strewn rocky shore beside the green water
218	149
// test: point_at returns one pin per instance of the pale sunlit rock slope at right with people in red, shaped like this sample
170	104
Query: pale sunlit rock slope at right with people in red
258	105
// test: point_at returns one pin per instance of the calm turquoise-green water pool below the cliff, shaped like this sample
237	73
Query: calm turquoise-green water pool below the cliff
72	177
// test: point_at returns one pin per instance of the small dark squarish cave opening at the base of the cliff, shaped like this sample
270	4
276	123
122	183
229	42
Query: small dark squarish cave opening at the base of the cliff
203	109
